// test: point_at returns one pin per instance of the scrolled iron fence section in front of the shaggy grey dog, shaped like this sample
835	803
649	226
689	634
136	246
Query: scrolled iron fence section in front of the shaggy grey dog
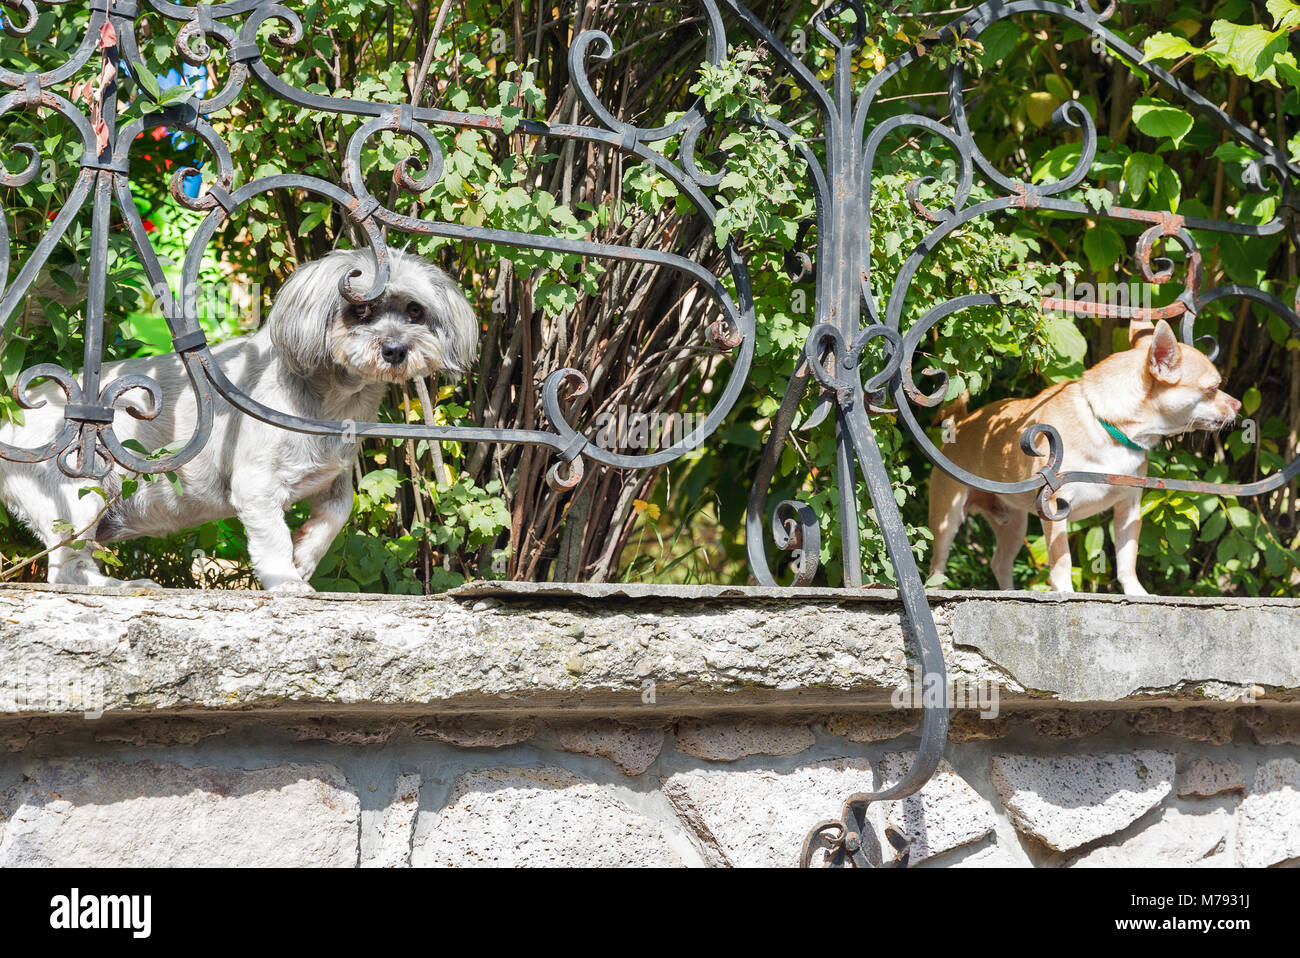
88	448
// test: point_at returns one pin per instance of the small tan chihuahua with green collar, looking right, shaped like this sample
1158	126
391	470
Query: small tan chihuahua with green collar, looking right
1108	421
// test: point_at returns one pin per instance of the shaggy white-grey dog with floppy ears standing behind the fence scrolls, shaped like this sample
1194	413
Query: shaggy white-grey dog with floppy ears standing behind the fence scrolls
318	357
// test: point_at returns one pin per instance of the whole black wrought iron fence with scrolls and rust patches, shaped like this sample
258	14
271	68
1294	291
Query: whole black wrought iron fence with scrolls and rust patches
851	313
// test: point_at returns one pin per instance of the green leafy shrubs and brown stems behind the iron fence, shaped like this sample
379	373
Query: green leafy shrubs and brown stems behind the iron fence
421	526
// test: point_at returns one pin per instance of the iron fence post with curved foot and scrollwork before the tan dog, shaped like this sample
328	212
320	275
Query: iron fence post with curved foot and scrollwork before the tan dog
848	315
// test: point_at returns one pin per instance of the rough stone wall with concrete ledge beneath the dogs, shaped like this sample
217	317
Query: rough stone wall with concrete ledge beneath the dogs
634	727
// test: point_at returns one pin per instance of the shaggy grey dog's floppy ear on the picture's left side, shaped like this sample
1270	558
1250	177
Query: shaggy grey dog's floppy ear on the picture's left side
304	311
